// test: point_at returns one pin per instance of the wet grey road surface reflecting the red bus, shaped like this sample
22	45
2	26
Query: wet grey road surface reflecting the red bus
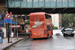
57	42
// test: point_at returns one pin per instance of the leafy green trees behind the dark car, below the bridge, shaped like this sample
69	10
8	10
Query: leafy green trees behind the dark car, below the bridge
68	20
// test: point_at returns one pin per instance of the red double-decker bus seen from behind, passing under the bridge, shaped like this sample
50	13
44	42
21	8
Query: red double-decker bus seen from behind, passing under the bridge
40	25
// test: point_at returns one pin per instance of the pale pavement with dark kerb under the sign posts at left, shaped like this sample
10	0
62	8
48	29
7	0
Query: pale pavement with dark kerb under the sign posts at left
5	43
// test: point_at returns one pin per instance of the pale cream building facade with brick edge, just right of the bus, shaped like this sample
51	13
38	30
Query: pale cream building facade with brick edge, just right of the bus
56	20
